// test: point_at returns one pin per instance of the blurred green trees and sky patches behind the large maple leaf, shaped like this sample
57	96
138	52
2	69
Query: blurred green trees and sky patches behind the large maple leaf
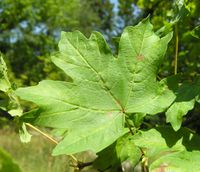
30	30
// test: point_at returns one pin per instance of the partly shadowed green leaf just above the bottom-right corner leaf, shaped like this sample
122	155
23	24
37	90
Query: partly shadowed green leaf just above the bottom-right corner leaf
164	141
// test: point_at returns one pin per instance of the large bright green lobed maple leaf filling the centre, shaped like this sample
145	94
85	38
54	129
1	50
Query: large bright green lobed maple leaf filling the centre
105	88
